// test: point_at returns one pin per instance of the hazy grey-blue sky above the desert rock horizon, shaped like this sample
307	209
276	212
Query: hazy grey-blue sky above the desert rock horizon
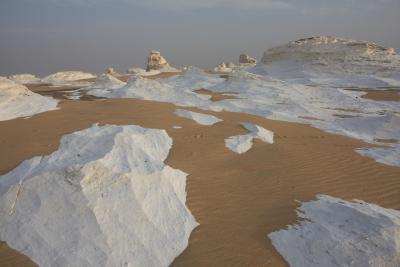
43	36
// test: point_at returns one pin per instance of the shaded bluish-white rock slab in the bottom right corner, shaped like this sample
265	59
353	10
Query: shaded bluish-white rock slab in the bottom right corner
334	232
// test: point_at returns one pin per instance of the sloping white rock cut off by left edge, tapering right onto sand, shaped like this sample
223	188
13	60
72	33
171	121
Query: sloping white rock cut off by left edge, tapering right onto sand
17	101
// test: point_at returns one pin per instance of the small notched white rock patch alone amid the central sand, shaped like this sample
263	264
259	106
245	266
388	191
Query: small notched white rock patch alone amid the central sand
243	143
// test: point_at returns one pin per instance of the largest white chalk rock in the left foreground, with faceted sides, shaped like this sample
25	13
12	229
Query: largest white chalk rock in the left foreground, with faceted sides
104	198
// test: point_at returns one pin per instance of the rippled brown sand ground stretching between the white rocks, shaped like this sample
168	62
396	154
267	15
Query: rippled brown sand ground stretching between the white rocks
237	199
